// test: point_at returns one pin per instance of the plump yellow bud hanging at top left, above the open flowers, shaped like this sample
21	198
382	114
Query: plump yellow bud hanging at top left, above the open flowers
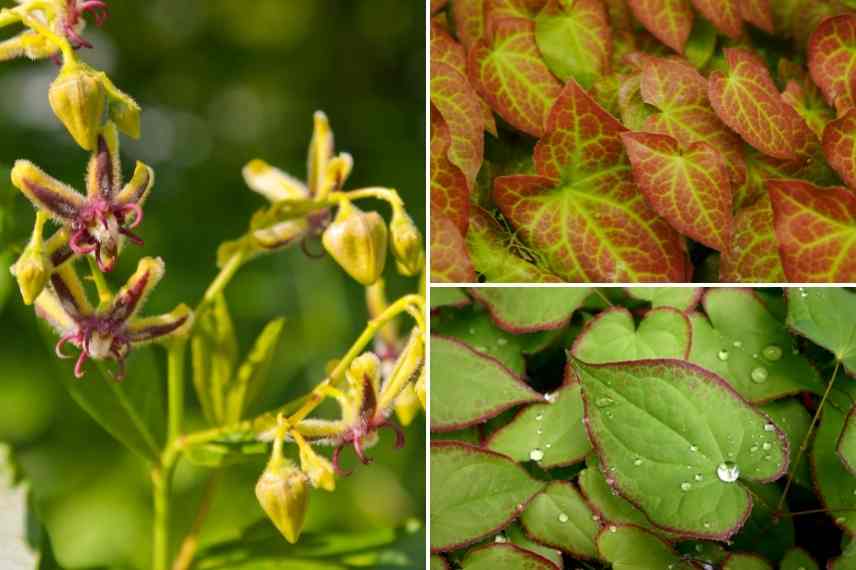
78	99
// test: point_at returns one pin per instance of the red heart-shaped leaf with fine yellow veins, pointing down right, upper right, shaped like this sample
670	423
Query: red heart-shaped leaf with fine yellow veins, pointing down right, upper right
747	101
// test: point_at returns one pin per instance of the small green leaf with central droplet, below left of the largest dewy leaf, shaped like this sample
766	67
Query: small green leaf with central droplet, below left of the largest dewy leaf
559	517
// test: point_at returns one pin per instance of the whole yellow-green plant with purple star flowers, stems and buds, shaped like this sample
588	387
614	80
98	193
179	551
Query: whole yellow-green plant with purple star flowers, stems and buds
380	375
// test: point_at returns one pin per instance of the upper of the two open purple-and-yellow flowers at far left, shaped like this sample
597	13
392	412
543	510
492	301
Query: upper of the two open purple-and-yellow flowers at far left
99	222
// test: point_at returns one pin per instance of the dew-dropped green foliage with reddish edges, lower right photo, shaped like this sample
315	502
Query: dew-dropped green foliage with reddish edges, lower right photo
643	428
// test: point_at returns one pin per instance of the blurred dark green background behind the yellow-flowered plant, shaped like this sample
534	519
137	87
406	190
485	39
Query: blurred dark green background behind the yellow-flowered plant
220	82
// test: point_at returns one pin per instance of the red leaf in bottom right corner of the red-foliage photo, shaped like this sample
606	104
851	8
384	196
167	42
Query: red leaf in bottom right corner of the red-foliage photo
816	229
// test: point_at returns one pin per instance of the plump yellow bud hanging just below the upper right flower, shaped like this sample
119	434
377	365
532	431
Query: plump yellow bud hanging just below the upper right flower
357	241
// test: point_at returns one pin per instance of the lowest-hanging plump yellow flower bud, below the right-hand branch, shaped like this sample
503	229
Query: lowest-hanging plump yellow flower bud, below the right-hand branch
282	493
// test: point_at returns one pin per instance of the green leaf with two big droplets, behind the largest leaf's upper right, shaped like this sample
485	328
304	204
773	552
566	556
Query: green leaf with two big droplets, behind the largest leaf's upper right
749	347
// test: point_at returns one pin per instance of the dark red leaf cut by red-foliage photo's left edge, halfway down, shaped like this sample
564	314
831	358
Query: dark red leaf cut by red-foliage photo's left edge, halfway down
449	193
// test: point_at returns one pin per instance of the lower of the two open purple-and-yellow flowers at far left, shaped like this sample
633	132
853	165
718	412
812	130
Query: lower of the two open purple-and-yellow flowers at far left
113	328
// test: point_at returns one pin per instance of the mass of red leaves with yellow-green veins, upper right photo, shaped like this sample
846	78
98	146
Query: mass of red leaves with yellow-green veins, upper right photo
643	140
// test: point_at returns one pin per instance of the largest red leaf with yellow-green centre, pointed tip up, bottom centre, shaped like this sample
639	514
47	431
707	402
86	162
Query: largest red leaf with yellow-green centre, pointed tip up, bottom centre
582	211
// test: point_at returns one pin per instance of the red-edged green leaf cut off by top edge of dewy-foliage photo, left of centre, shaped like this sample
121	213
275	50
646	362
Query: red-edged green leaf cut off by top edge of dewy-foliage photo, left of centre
519	310
